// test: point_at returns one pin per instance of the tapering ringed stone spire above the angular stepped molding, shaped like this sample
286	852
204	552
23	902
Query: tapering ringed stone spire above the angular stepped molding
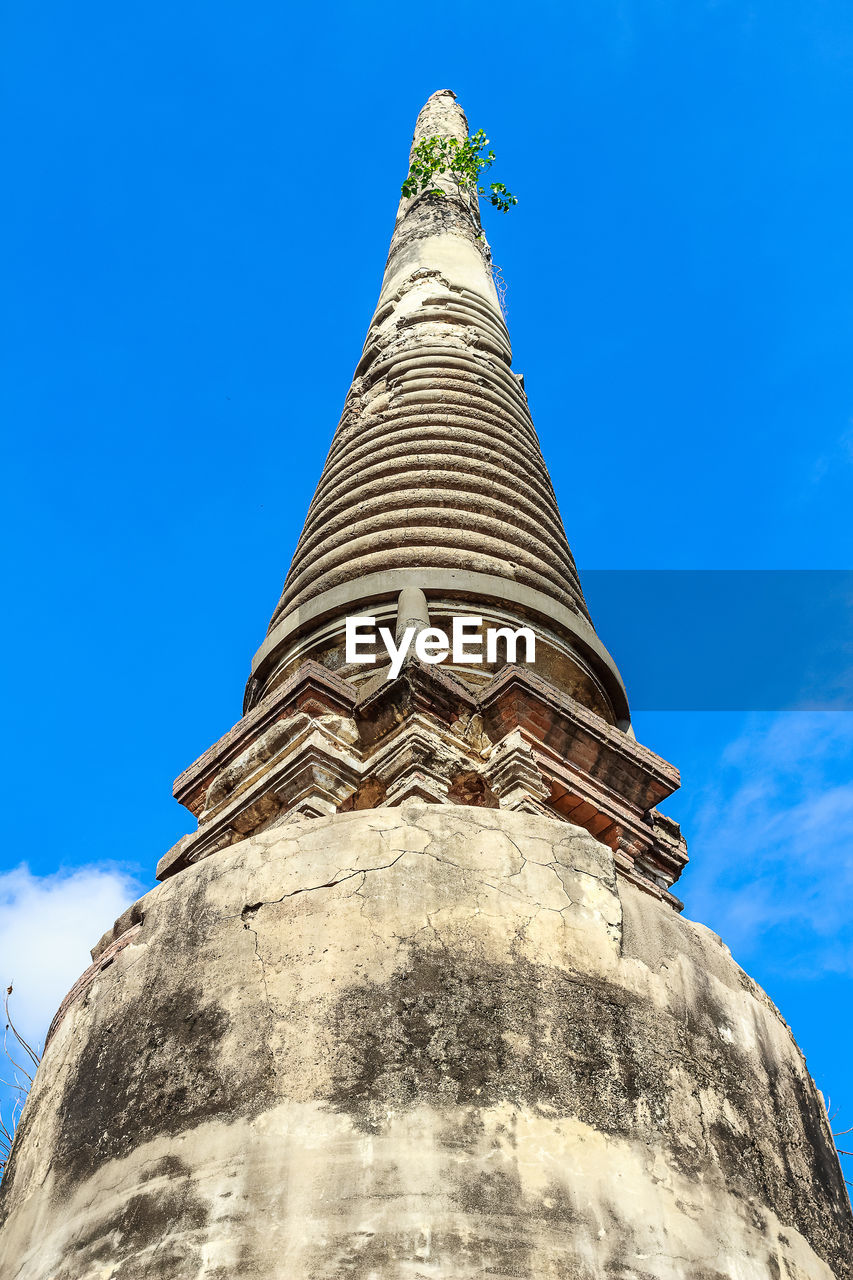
435	478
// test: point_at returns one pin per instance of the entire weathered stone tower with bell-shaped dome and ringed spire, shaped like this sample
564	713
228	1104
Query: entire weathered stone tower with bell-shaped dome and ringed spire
416	999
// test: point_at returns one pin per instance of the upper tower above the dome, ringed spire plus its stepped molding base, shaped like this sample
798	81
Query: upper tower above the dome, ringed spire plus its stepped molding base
435	514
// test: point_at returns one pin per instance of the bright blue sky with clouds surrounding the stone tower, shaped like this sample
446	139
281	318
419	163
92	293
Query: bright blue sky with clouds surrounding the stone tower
199	203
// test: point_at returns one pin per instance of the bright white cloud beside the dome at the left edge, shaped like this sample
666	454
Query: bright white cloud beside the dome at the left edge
48	927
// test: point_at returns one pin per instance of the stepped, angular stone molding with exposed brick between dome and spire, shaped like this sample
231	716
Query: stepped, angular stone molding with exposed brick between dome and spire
321	747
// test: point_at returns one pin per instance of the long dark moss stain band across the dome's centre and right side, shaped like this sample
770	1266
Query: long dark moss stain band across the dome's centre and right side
460	1035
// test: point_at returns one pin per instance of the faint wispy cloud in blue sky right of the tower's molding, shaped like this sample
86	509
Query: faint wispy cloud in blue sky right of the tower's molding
773	843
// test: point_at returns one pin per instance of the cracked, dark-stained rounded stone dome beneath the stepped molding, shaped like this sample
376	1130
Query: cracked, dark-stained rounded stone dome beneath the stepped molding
421	1043
